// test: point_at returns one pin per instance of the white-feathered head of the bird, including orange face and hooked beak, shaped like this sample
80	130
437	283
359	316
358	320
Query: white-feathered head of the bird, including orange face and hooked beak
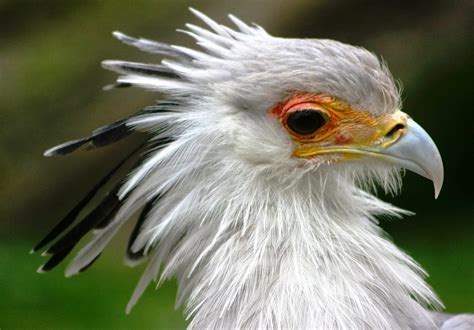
293	105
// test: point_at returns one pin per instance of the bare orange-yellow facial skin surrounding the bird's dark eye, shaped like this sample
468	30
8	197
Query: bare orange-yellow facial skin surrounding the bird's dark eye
346	130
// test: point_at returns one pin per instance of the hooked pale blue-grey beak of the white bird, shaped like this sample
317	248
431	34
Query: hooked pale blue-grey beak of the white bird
416	151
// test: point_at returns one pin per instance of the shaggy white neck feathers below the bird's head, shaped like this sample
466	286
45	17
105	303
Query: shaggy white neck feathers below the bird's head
306	256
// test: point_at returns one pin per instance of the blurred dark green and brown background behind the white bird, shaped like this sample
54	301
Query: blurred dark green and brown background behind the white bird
50	82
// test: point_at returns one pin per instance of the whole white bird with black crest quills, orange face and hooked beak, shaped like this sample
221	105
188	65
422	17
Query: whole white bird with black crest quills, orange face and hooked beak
254	191
